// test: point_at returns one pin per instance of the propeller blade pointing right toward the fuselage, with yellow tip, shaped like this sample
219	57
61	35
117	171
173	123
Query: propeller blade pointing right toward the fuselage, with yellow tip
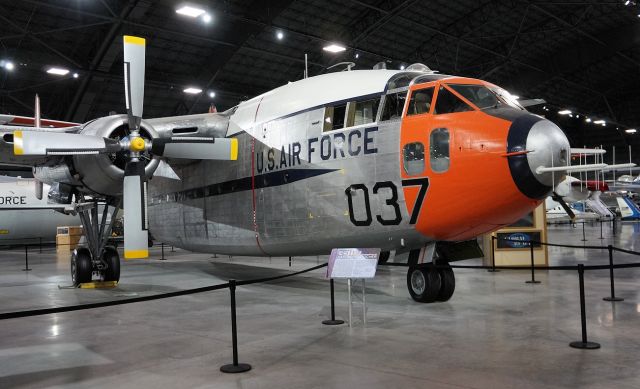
225	149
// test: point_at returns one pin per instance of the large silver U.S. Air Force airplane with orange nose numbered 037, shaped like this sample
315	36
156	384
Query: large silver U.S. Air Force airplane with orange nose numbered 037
360	158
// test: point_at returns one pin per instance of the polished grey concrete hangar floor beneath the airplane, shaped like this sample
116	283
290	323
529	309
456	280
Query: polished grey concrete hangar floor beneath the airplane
496	332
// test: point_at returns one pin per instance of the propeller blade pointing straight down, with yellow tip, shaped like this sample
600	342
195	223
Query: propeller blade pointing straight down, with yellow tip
136	234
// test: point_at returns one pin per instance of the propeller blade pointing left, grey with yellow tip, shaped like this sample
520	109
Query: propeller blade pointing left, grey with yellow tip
55	143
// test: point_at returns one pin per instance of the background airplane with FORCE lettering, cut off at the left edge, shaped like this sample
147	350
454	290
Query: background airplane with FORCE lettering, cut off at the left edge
25	218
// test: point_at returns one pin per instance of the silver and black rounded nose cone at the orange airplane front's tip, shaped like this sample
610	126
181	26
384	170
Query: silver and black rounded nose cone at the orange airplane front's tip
545	145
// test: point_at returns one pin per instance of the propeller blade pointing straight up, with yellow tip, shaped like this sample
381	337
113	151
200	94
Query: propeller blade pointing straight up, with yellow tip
134	57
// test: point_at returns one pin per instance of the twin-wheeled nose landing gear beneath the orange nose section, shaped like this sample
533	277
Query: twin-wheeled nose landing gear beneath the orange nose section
428	283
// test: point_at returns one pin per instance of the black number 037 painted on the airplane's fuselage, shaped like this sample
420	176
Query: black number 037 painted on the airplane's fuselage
389	189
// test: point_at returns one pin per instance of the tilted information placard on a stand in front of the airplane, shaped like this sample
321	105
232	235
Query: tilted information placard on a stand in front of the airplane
353	263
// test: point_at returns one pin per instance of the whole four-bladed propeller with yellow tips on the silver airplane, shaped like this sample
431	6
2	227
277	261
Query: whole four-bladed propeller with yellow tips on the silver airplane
39	143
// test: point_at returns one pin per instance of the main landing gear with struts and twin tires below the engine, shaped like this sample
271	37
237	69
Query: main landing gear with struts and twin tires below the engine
97	258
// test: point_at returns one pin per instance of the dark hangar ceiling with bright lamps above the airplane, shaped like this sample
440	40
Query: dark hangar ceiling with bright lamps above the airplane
583	56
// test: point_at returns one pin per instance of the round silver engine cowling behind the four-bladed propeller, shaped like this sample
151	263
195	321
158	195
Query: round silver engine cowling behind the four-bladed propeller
103	174
